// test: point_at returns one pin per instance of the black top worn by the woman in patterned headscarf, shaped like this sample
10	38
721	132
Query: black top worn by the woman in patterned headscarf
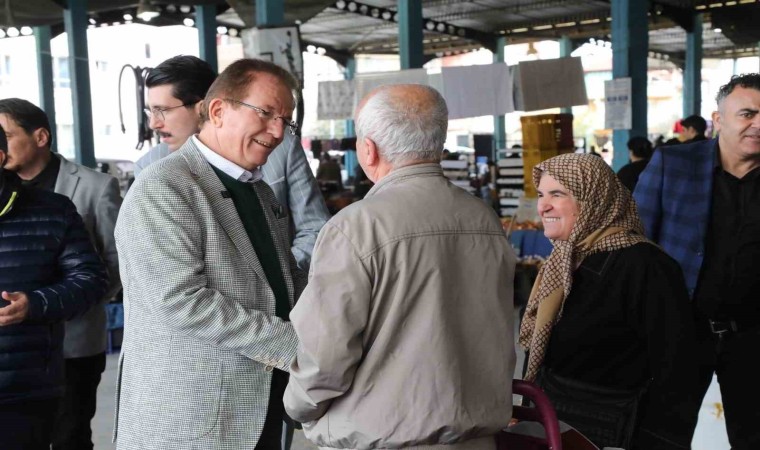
626	322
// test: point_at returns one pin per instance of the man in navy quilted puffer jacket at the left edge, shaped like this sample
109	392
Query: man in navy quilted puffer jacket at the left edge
50	274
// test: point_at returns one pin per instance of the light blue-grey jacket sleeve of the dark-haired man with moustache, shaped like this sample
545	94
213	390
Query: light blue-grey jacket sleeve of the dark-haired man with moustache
306	203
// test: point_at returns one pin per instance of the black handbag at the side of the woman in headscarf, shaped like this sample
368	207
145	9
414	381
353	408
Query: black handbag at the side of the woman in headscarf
606	416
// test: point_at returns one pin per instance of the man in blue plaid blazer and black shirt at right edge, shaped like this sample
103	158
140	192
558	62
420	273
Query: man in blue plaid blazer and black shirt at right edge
701	203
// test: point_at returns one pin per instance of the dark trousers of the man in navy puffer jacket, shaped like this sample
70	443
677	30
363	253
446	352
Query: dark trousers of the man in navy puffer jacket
27	425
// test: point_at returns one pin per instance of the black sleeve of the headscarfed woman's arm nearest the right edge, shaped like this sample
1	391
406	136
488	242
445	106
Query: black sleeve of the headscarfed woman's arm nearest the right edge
670	406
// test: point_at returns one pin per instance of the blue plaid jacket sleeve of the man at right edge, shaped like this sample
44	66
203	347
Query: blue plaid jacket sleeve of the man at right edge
648	195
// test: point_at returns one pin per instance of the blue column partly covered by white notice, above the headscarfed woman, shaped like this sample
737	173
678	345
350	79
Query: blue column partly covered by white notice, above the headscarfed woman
630	49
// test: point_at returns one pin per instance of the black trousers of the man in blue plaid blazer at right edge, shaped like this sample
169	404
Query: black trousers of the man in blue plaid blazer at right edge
731	357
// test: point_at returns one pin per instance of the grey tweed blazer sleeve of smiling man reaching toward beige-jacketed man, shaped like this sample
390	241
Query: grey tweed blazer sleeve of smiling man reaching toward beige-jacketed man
162	244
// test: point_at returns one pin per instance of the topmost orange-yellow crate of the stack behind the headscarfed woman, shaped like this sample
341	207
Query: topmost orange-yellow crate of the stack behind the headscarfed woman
547	131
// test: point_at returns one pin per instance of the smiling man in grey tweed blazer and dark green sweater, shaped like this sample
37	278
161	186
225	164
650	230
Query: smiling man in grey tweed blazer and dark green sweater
209	279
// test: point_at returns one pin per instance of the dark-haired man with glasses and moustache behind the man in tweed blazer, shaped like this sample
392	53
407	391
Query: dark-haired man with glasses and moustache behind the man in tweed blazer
175	90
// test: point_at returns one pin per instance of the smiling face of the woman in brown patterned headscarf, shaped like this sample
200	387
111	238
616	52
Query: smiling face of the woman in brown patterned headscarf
557	208
